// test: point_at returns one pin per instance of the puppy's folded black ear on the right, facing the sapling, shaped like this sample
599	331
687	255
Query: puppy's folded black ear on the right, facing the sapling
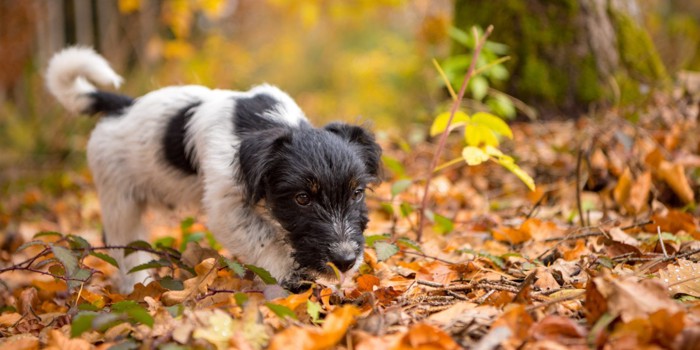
369	149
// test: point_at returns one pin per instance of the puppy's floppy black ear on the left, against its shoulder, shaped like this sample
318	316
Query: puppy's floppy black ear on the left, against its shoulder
256	156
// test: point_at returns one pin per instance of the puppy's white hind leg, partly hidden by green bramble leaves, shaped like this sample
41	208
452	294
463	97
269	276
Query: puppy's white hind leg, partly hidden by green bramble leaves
122	224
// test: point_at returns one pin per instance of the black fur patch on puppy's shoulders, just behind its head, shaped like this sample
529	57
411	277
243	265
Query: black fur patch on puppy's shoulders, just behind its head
249	114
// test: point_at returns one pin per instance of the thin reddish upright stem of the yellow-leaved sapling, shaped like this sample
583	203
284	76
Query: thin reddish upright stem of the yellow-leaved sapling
443	137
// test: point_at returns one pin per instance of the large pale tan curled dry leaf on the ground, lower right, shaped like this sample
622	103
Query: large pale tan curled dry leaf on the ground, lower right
631	298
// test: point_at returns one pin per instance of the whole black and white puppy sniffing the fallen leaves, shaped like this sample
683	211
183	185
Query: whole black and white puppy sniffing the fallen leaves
278	193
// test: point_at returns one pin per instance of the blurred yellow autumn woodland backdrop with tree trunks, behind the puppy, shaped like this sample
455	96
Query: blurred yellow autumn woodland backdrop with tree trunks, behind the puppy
355	60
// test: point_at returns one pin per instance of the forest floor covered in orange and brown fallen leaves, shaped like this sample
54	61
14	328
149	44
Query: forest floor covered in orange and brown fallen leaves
604	253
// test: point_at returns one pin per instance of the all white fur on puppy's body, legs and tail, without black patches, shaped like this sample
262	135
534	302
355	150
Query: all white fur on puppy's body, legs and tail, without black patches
125	156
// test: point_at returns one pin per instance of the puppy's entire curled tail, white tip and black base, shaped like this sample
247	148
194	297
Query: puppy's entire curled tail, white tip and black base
70	77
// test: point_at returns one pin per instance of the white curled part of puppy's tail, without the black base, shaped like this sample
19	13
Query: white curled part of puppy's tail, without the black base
72	73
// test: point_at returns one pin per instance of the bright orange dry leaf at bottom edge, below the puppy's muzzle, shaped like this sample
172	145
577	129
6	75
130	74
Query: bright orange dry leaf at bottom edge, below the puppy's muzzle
311	338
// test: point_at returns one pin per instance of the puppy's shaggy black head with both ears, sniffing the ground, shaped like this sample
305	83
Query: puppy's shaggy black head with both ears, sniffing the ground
313	181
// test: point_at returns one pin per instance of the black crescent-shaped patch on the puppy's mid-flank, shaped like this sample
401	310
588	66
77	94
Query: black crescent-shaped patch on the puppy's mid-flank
174	141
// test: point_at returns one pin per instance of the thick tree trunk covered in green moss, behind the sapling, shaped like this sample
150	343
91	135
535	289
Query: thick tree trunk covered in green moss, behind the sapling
568	54
